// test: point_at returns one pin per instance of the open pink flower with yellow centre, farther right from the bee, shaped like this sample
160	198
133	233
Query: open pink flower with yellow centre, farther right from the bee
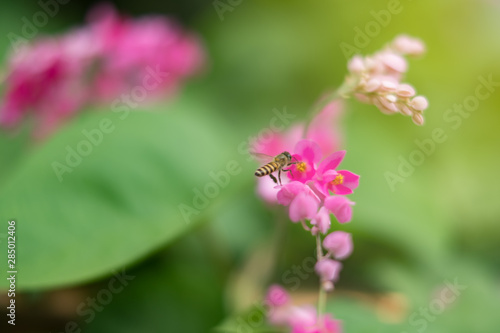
339	182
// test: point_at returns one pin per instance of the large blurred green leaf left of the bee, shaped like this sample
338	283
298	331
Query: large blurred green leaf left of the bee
118	203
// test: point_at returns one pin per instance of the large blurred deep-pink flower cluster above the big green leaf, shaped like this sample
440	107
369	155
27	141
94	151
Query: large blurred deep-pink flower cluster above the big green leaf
55	77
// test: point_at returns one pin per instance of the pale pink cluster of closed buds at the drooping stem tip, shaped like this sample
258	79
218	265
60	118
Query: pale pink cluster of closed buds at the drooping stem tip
376	79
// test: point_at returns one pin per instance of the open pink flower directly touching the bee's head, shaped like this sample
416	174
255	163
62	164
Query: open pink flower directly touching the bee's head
307	153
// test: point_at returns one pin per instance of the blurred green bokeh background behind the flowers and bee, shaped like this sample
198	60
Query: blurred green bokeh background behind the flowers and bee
119	210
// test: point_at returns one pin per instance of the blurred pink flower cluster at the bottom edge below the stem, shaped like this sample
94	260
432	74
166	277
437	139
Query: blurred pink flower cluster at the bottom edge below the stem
301	319
